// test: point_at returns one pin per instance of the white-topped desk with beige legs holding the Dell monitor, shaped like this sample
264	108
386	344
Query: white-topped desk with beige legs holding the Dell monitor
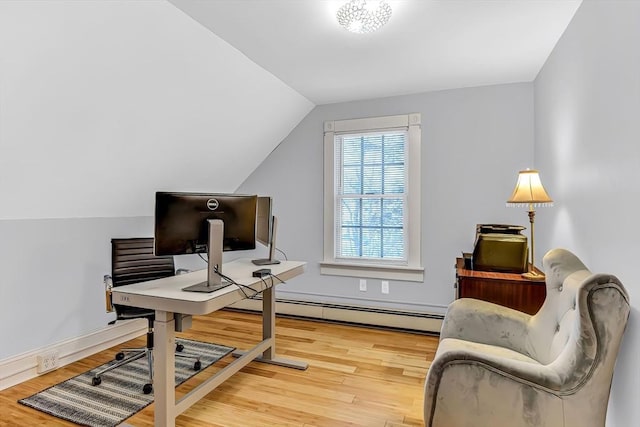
167	298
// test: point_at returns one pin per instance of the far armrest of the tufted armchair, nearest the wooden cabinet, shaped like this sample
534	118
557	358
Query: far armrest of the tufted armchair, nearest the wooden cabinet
487	323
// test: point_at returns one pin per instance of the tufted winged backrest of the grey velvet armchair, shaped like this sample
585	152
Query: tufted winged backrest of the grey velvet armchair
578	330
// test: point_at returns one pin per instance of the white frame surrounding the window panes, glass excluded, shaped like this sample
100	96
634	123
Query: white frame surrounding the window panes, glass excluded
412	270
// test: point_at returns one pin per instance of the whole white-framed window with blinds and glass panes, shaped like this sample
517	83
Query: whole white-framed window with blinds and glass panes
372	198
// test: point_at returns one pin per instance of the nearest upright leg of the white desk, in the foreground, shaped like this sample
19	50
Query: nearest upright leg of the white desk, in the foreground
164	370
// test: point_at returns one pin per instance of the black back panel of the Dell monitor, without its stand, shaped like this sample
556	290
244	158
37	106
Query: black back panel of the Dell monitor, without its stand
181	225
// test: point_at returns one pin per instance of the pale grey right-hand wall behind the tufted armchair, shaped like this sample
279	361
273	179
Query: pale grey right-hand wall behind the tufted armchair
587	105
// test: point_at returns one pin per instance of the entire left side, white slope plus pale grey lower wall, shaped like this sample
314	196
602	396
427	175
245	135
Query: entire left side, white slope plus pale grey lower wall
101	104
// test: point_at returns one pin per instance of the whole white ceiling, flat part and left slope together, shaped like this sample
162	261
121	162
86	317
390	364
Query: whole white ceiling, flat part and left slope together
102	103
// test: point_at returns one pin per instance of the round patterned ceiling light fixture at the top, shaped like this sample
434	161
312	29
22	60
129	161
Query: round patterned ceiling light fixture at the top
359	17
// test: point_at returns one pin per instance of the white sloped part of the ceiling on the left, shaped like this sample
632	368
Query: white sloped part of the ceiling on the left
103	103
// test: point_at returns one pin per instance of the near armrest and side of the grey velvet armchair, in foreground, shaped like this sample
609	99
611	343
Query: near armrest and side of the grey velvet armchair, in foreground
472	384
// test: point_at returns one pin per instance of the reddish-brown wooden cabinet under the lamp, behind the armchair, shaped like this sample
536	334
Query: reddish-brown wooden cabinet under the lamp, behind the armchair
507	289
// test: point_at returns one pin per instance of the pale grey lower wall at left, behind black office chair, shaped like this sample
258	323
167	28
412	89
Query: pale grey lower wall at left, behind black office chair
51	284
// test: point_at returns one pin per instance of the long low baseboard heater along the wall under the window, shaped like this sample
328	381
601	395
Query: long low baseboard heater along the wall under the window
366	316
